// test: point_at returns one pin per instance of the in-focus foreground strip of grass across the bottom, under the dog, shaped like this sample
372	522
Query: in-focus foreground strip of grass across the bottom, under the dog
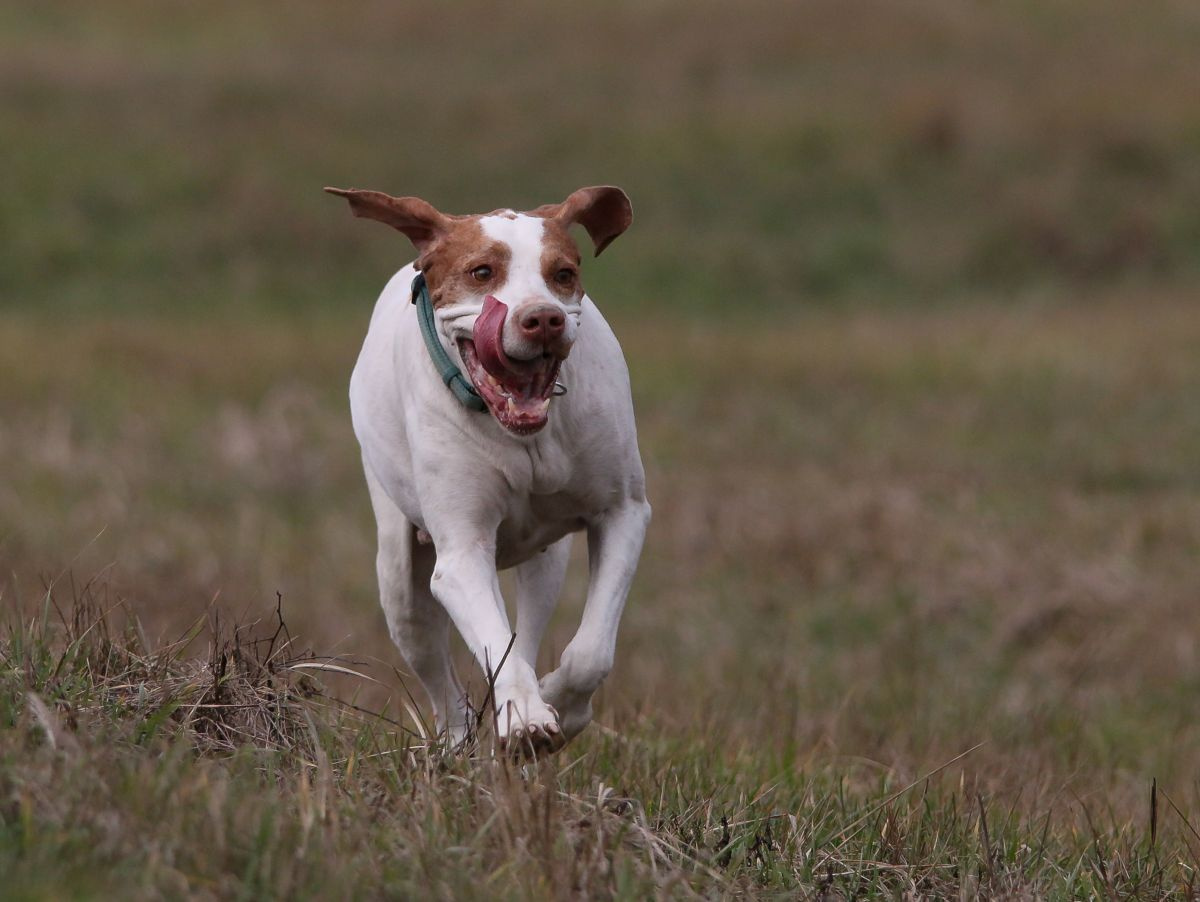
136	772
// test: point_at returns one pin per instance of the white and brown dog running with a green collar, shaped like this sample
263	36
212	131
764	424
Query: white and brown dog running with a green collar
493	406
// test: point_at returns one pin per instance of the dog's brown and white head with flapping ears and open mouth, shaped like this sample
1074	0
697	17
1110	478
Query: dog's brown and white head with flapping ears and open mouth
506	288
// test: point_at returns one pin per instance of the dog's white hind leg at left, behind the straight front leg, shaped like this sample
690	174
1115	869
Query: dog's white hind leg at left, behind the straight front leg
418	624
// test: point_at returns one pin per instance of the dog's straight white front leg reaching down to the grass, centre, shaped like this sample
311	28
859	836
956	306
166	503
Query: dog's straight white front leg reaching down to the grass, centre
466	584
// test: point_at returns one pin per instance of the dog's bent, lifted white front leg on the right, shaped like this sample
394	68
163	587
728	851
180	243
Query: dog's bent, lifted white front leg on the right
615	543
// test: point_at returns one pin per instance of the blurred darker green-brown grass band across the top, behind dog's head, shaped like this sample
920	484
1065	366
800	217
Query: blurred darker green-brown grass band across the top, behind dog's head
172	159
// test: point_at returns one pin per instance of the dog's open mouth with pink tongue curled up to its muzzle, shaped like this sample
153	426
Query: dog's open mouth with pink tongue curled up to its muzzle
517	392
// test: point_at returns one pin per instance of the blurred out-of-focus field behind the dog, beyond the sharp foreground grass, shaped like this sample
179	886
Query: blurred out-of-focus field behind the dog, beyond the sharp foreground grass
910	304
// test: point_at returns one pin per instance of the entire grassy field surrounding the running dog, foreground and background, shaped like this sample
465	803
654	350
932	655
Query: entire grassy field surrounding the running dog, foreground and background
911	310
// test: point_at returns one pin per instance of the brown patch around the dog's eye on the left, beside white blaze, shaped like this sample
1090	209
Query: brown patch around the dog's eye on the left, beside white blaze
453	262
